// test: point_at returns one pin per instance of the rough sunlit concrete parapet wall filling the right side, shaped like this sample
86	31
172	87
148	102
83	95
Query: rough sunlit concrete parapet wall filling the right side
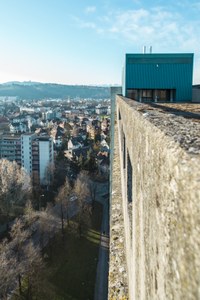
162	222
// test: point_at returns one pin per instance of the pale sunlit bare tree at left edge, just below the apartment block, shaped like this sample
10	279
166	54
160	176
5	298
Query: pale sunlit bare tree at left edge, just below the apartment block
15	186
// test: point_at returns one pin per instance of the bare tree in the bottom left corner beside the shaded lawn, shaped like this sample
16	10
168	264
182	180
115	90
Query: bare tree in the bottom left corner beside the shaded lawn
19	260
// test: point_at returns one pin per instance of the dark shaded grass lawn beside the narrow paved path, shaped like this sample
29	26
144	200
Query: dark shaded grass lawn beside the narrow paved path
71	271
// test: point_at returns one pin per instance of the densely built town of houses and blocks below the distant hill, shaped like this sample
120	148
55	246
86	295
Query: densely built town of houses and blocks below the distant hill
77	128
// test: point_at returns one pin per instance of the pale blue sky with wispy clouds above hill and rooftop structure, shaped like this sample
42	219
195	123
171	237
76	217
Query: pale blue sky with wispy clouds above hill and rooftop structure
85	41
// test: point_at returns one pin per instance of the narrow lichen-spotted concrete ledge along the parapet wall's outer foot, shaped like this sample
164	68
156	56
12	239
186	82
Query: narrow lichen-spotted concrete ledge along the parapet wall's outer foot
118	284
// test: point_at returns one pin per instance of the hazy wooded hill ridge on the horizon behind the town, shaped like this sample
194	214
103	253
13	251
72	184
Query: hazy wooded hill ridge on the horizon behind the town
35	90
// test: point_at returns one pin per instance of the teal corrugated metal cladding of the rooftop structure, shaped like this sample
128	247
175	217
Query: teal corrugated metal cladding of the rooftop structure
160	71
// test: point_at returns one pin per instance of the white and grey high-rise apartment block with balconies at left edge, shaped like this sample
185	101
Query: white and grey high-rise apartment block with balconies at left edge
34	153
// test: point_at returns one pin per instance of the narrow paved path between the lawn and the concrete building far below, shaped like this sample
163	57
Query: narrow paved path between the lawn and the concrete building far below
101	285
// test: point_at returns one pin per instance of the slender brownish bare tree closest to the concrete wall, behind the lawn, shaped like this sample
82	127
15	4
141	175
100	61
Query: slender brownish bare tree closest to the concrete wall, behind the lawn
81	191
